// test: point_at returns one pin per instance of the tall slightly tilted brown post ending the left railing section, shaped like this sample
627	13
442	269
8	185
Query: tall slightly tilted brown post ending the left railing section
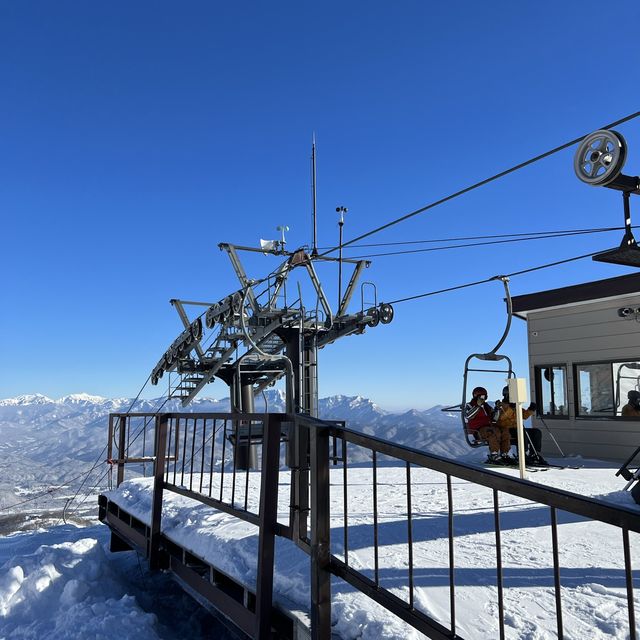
268	520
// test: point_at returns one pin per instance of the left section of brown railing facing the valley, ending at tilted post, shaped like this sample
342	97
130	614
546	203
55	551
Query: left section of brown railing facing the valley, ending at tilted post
199	456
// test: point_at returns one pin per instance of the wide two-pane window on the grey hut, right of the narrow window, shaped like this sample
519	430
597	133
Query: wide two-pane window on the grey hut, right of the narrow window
602	388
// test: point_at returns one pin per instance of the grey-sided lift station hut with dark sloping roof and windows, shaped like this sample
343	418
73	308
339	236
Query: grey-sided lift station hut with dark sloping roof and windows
584	358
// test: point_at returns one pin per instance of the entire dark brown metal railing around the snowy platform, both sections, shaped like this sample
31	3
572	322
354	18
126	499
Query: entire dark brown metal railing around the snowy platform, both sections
196	452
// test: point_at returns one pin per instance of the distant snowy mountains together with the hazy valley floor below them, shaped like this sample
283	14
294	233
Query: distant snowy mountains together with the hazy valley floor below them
46	442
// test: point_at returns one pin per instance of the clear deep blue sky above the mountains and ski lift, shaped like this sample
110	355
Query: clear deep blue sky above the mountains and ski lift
135	137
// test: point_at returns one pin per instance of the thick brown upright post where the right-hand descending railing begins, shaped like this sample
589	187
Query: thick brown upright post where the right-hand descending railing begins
320	535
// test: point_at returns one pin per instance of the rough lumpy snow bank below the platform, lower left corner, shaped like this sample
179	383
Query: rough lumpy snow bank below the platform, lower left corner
64	584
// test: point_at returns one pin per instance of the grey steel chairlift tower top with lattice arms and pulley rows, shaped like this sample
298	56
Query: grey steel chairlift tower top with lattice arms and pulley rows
250	339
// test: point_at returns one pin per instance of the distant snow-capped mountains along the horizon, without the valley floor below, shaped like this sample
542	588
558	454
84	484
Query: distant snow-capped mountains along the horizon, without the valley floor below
74	427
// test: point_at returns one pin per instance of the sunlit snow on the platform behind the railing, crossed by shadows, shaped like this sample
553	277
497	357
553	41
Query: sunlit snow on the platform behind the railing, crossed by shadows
591	555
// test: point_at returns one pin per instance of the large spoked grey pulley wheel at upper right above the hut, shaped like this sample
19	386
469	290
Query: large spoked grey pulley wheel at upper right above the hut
600	157
